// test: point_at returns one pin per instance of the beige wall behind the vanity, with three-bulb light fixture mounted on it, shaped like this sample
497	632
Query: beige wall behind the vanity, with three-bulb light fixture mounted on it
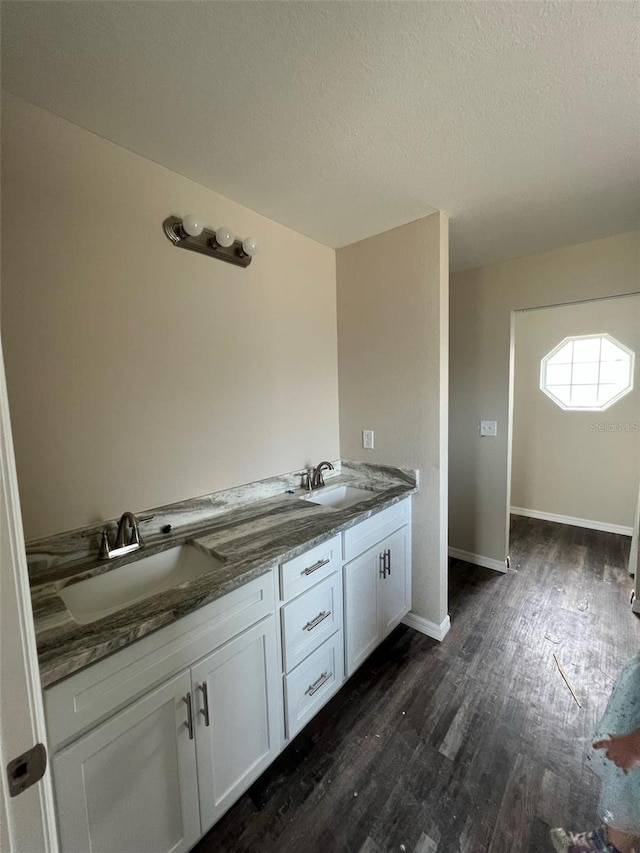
139	374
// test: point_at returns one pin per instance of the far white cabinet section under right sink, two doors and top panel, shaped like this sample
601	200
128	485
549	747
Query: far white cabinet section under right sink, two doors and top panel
377	582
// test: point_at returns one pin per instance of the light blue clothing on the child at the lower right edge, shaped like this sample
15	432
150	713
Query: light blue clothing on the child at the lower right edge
620	792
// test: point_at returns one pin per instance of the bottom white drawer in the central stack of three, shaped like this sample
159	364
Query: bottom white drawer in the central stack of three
312	683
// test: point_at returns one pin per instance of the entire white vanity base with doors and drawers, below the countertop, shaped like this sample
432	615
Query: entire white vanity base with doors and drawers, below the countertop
151	745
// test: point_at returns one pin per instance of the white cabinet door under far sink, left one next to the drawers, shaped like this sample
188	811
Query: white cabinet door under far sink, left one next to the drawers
361	619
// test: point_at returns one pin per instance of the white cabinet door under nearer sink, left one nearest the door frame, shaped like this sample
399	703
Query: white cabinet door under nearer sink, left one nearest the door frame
130	786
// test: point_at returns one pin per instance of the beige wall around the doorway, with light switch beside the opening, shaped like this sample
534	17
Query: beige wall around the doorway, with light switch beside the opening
481	304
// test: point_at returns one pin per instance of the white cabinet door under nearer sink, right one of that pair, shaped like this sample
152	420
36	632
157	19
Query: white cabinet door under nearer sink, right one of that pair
236	710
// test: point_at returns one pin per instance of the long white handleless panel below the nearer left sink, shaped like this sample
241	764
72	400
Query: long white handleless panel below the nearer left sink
94	693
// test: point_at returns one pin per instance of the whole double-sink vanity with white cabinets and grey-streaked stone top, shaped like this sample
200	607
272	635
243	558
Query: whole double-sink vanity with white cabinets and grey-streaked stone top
176	674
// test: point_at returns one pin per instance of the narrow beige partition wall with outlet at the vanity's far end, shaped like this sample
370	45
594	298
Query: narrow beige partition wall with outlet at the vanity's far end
392	357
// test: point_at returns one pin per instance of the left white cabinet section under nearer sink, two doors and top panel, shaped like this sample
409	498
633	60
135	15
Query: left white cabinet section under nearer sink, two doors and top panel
159	772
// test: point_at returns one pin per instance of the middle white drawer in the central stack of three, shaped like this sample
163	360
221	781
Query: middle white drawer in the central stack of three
310	619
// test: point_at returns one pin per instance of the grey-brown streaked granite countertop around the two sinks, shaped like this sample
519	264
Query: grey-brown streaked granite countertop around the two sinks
246	540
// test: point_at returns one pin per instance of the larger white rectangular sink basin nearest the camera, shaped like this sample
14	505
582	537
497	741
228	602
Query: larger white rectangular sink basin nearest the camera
109	592
